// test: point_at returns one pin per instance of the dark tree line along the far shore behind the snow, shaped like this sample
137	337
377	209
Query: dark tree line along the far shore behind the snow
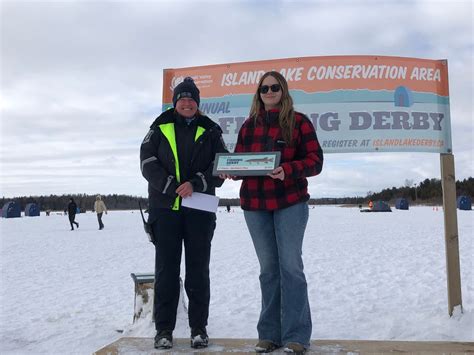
428	191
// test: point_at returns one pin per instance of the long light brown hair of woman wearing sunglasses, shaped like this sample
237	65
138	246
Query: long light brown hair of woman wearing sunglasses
286	117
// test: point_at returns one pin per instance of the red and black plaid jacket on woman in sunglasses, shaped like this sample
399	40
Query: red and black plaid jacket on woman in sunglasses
302	158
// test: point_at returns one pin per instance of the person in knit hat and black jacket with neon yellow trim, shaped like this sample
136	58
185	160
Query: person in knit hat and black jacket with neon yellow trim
177	158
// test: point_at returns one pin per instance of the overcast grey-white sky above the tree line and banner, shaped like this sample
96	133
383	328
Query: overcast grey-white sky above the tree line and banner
81	81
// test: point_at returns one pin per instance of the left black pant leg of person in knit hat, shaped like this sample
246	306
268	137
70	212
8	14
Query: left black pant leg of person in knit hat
167	229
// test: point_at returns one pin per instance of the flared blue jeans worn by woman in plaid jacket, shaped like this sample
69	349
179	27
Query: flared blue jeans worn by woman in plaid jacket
278	239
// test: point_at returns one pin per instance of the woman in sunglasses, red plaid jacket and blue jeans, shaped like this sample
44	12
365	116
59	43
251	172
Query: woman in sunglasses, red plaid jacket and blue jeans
276	212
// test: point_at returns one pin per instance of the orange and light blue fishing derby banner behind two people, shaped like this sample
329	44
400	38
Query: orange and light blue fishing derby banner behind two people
356	103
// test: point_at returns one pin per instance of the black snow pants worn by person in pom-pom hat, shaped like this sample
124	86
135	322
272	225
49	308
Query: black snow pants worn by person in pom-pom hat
172	229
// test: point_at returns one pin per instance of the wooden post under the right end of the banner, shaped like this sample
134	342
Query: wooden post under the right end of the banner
448	183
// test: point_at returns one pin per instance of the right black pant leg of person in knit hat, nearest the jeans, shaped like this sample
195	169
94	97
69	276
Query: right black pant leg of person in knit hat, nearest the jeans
199	230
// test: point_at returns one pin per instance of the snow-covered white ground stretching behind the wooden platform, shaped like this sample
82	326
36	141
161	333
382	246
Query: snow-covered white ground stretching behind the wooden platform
370	276
